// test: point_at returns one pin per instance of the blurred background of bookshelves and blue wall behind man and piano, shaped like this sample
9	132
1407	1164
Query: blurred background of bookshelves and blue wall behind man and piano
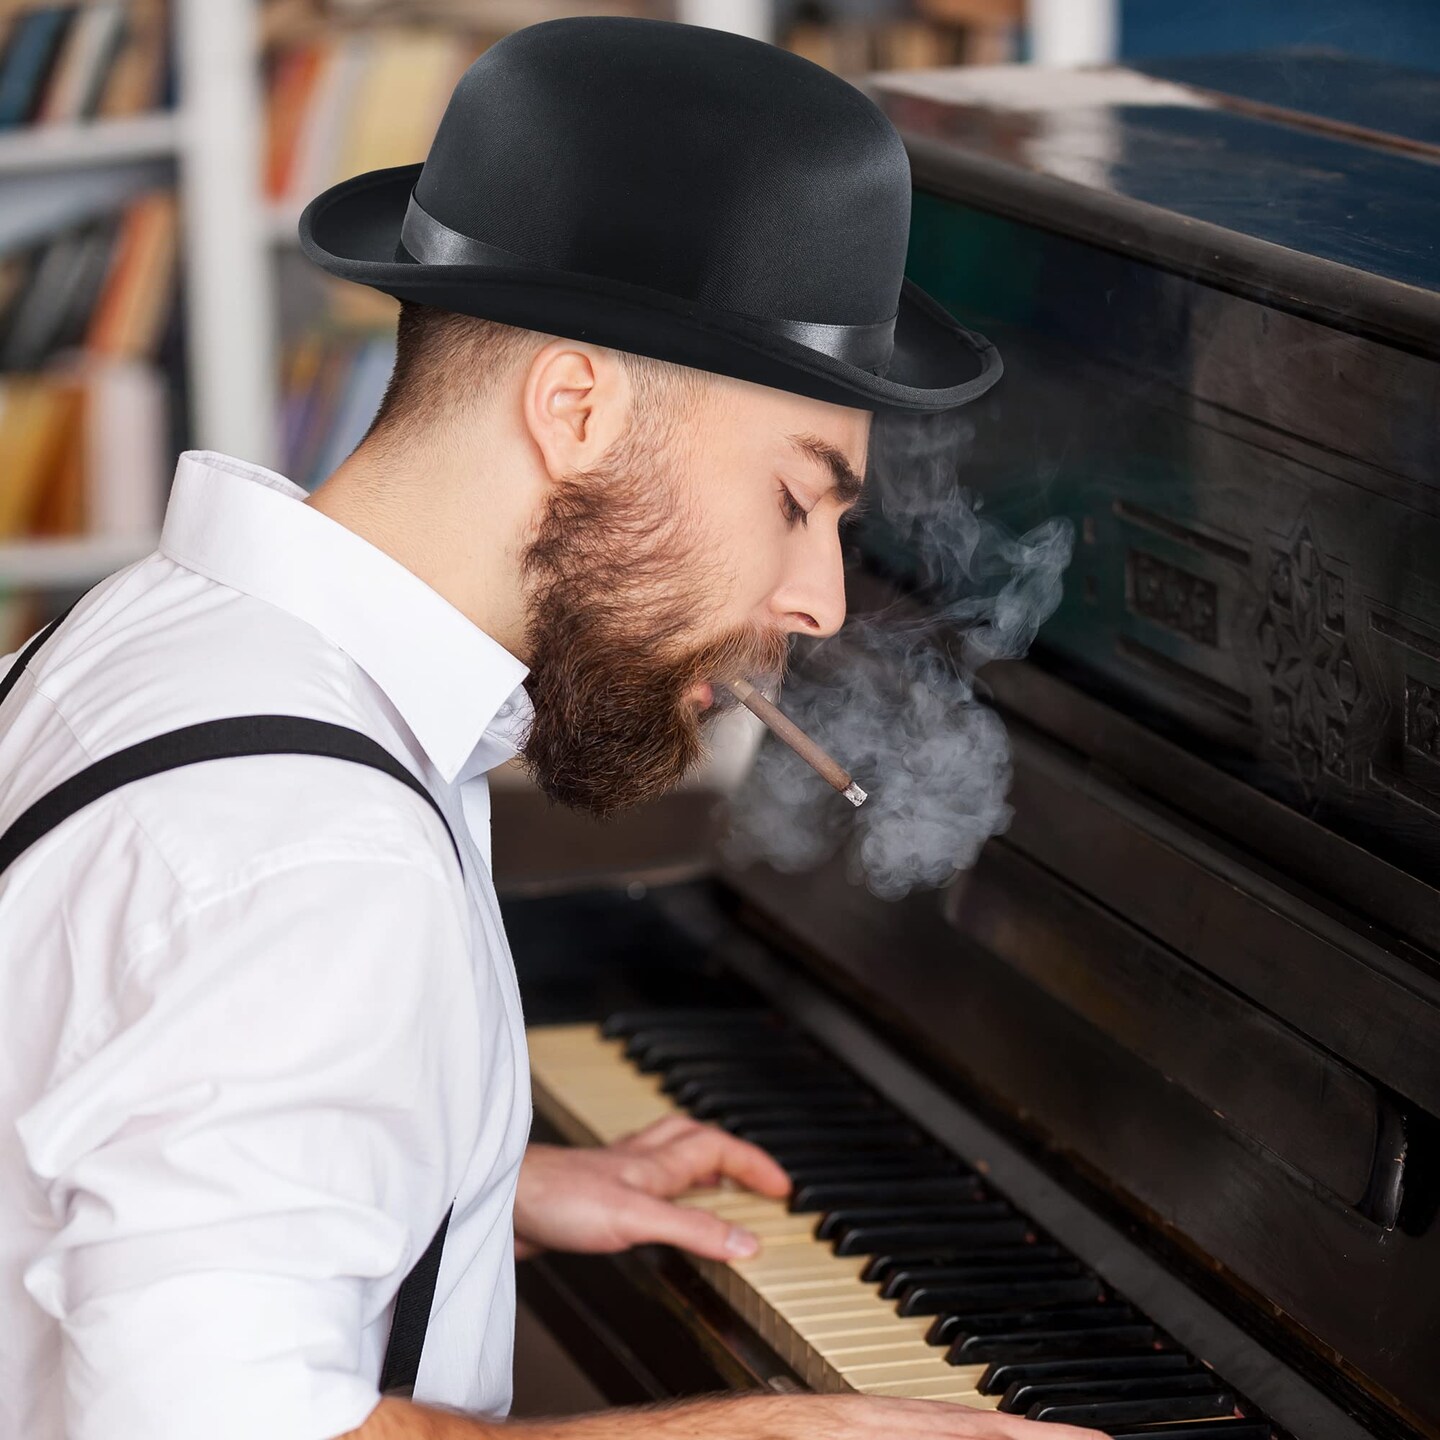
155	156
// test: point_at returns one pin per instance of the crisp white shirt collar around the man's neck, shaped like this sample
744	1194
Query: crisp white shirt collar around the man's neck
246	526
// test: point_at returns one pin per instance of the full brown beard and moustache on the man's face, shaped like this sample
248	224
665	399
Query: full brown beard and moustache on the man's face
607	633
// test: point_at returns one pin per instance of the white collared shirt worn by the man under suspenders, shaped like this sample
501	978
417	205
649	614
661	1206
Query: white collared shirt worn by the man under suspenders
256	1032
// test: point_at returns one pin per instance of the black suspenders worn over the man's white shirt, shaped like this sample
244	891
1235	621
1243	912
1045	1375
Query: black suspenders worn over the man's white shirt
218	741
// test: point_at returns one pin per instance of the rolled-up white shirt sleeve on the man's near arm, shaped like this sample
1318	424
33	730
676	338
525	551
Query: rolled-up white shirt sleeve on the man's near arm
248	1166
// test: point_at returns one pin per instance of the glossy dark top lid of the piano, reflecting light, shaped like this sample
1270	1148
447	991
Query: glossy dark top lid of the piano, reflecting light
1333	210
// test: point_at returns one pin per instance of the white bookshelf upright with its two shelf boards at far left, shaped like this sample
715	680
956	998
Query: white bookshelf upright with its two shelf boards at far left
207	149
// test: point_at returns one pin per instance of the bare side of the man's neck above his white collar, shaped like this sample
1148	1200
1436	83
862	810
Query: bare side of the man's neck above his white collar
440	528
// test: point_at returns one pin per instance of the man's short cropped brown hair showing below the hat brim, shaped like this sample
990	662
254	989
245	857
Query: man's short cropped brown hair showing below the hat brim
446	364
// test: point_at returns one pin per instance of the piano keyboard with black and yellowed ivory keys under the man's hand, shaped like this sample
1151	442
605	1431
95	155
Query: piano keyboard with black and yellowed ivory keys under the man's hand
894	1269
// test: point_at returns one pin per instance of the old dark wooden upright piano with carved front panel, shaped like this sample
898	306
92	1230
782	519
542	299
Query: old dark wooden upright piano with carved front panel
1137	1124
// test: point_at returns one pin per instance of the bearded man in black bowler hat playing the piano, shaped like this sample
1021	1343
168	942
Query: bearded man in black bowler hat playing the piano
261	1030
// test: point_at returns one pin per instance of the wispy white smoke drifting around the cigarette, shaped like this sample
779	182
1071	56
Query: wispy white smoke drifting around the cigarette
894	696
